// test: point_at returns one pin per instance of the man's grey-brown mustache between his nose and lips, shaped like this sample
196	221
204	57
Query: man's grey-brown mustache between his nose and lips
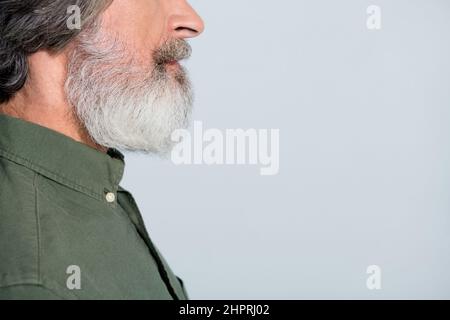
172	50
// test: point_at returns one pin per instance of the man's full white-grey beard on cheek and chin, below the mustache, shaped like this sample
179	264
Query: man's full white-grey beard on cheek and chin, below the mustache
122	104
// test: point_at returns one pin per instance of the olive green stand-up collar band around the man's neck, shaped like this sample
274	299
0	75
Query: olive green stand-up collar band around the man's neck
61	158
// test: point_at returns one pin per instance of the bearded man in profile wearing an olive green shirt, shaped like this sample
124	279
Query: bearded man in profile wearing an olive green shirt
70	99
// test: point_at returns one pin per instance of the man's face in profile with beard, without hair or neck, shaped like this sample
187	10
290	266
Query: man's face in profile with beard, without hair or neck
125	79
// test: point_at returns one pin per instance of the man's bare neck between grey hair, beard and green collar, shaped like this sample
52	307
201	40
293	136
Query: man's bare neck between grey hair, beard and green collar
42	100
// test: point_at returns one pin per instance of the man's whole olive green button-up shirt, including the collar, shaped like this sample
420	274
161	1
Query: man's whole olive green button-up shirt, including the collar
67	229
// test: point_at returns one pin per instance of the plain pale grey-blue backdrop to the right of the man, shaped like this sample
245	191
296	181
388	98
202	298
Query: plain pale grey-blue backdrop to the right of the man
364	178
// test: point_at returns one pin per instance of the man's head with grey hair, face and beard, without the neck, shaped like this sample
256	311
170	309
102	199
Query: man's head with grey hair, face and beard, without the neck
122	77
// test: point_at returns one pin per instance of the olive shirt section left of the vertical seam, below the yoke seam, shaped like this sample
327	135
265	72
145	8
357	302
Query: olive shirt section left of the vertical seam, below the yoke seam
18	224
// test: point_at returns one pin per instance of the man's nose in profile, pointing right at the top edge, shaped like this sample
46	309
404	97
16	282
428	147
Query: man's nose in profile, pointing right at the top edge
185	22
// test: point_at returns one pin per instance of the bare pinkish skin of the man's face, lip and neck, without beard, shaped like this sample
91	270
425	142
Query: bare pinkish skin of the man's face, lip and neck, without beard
141	26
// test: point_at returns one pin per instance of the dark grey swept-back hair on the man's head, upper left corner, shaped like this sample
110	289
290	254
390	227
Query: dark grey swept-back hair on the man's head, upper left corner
27	26
